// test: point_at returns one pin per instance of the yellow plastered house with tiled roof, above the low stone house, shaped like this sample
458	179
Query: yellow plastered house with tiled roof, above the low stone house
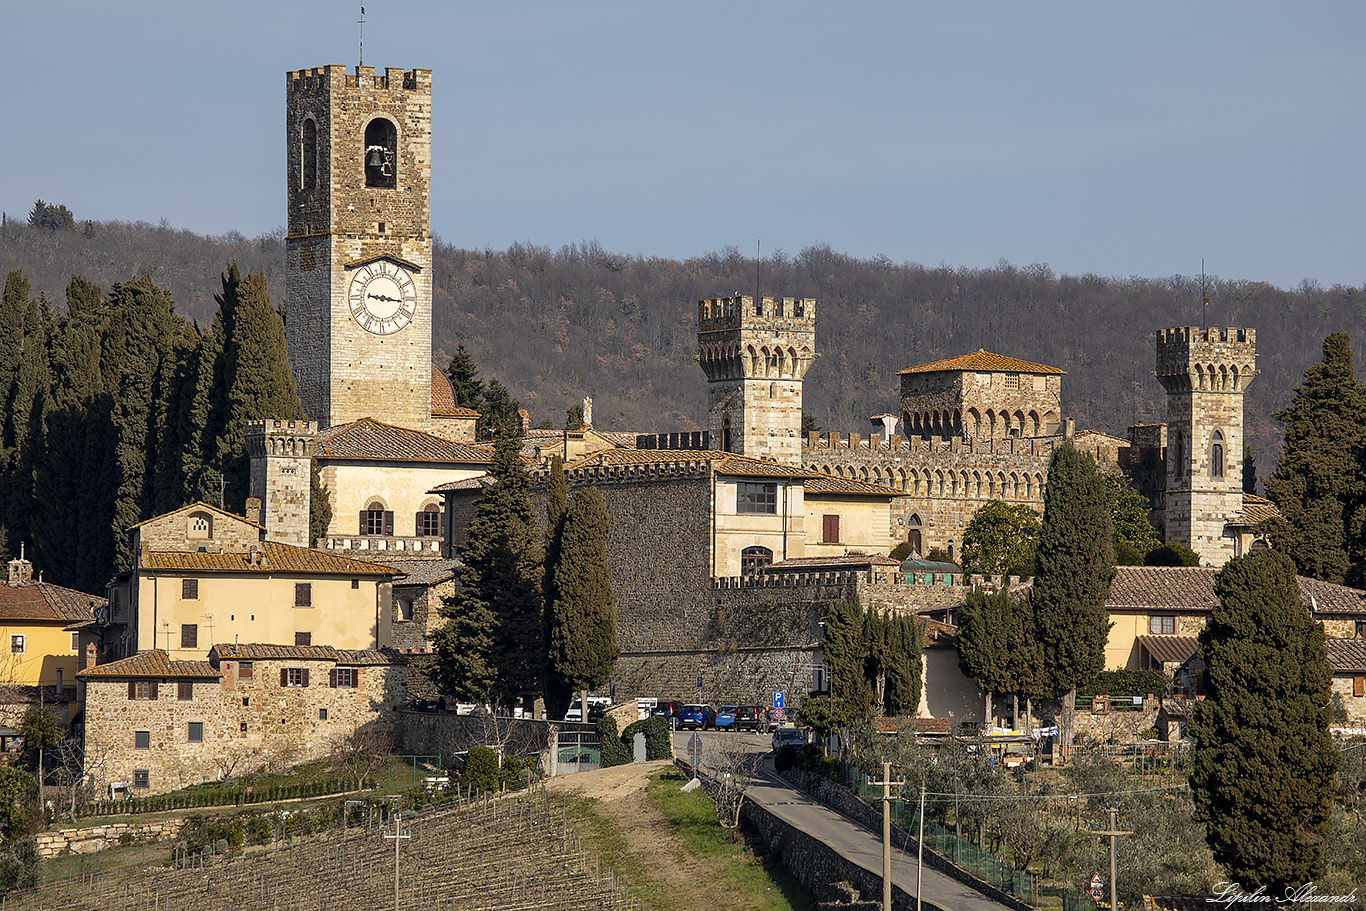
203	576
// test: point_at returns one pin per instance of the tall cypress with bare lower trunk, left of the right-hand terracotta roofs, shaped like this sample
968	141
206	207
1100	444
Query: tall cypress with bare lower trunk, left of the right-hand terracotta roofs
1074	565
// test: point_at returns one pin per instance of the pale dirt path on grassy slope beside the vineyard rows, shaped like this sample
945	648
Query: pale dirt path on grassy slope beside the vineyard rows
619	794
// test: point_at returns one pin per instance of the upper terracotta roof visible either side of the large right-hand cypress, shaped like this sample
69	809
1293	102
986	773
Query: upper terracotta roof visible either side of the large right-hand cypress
1193	589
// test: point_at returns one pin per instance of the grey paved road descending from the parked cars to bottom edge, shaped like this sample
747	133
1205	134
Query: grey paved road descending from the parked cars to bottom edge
844	835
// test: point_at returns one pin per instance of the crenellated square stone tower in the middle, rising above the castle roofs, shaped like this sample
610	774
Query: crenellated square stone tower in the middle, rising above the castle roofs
755	356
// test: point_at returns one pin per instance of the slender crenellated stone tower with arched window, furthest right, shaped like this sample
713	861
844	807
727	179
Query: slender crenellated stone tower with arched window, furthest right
1205	374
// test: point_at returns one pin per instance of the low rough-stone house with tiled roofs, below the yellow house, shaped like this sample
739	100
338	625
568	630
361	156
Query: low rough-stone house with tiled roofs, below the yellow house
156	725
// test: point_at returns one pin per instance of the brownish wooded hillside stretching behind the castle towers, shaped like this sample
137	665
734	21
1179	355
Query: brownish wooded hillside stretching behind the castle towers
558	326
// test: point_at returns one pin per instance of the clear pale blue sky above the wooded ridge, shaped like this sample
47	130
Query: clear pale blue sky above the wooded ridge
1095	137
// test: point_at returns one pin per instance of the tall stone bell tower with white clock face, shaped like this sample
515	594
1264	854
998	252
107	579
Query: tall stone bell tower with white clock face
359	289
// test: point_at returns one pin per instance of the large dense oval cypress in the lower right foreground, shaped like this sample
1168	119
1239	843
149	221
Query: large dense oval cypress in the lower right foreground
1266	764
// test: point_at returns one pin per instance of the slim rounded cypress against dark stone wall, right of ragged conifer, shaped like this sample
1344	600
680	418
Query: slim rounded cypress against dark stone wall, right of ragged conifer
583	651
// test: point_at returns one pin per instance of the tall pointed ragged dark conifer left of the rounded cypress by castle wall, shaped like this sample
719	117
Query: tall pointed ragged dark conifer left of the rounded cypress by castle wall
491	645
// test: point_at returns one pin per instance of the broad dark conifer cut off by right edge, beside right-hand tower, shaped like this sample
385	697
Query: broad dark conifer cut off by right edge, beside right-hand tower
1319	483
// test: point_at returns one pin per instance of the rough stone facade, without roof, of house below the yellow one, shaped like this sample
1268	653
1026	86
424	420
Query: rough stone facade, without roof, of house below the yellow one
247	722
